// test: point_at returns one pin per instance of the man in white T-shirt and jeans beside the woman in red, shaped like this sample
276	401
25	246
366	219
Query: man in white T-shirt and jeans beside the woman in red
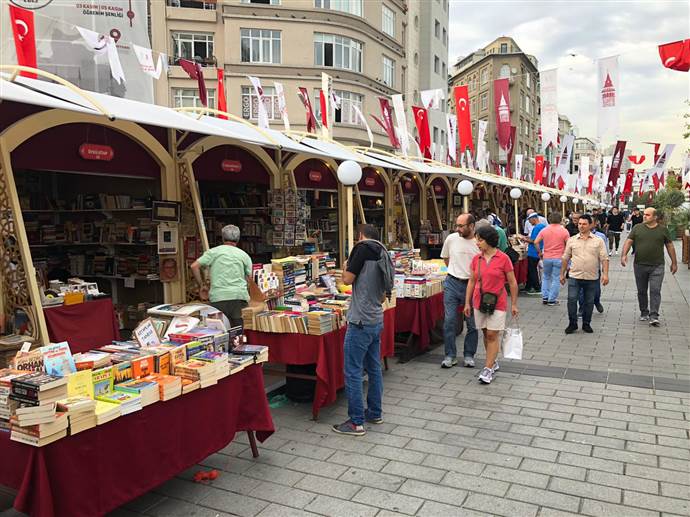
458	251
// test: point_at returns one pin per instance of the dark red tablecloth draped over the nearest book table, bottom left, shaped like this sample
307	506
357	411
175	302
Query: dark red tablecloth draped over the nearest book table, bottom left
98	470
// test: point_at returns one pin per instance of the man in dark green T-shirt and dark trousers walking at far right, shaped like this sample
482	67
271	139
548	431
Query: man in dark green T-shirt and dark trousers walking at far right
649	239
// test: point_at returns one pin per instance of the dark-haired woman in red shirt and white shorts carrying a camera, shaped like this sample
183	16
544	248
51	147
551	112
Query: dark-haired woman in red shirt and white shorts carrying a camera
495	270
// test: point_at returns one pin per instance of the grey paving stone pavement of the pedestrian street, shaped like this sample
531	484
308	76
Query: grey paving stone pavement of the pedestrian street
526	445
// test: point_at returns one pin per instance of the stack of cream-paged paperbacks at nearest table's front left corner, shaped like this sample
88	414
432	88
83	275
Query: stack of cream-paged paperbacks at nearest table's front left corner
38	425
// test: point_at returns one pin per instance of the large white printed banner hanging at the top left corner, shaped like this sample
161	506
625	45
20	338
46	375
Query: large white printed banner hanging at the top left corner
61	50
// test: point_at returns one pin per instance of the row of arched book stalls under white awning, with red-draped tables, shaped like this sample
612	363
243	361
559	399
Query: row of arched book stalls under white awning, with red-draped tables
100	228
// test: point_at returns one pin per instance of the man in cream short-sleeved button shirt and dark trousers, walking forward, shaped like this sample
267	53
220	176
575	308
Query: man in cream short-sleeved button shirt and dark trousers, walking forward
586	255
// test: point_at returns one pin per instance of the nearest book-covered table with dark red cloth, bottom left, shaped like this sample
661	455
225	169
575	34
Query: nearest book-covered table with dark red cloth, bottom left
118	420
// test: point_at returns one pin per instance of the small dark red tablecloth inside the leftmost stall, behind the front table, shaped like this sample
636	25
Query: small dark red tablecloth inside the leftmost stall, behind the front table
85	326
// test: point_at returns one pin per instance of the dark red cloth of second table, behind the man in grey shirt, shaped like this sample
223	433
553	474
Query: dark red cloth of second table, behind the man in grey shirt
325	351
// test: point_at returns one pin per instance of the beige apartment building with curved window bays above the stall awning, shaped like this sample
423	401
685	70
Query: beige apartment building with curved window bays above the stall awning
362	44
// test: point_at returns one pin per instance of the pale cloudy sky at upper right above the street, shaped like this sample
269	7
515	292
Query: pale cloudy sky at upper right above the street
651	101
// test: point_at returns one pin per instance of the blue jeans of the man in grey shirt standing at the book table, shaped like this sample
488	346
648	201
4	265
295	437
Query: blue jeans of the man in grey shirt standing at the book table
363	352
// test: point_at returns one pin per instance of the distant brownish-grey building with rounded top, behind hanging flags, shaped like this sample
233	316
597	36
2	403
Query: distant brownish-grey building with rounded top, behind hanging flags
503	58
